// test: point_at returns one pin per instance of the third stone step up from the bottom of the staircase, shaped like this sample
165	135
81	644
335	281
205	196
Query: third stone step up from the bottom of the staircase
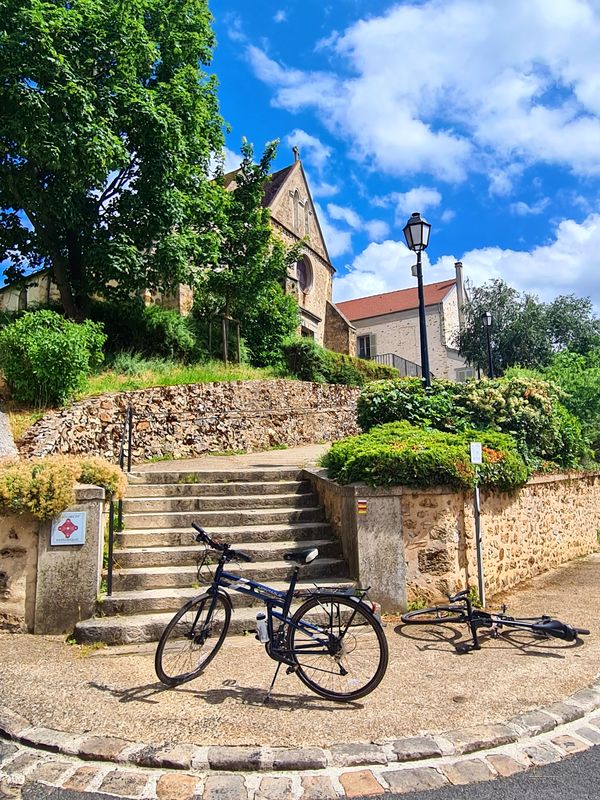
140	578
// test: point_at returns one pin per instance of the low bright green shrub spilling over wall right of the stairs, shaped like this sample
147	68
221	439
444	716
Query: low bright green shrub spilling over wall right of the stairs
400	454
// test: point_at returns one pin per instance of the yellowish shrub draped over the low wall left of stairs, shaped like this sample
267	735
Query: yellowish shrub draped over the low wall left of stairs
45	487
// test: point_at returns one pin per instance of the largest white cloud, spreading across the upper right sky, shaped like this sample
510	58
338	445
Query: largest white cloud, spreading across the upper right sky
519	84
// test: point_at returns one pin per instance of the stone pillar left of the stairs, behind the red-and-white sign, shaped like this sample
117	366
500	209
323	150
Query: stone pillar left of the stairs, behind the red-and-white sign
68	576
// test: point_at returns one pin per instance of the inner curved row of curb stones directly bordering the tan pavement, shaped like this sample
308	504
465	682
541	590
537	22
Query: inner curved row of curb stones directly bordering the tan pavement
430	747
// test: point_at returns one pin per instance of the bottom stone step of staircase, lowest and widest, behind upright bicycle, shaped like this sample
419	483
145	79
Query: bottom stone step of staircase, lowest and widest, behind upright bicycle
139	628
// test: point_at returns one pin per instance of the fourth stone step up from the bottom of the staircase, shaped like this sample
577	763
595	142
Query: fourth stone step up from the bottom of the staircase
133	558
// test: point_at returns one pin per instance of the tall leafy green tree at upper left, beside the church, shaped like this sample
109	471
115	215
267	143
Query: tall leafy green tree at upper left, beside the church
107	128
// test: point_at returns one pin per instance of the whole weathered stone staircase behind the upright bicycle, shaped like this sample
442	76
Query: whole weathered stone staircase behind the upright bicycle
264	512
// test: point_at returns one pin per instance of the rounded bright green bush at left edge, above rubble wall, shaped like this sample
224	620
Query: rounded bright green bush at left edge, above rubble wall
46	358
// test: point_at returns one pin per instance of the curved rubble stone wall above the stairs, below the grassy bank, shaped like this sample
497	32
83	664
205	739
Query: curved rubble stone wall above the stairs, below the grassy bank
187	421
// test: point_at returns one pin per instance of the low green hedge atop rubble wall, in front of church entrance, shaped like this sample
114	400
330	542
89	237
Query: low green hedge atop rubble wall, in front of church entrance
308	361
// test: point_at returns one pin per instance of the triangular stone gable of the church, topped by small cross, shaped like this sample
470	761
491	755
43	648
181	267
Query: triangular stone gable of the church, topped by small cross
292	207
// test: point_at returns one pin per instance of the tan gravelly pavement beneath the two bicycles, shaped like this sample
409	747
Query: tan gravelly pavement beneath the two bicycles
428	687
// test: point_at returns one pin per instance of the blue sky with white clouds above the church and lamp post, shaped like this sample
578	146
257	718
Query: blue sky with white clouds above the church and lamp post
484	115
